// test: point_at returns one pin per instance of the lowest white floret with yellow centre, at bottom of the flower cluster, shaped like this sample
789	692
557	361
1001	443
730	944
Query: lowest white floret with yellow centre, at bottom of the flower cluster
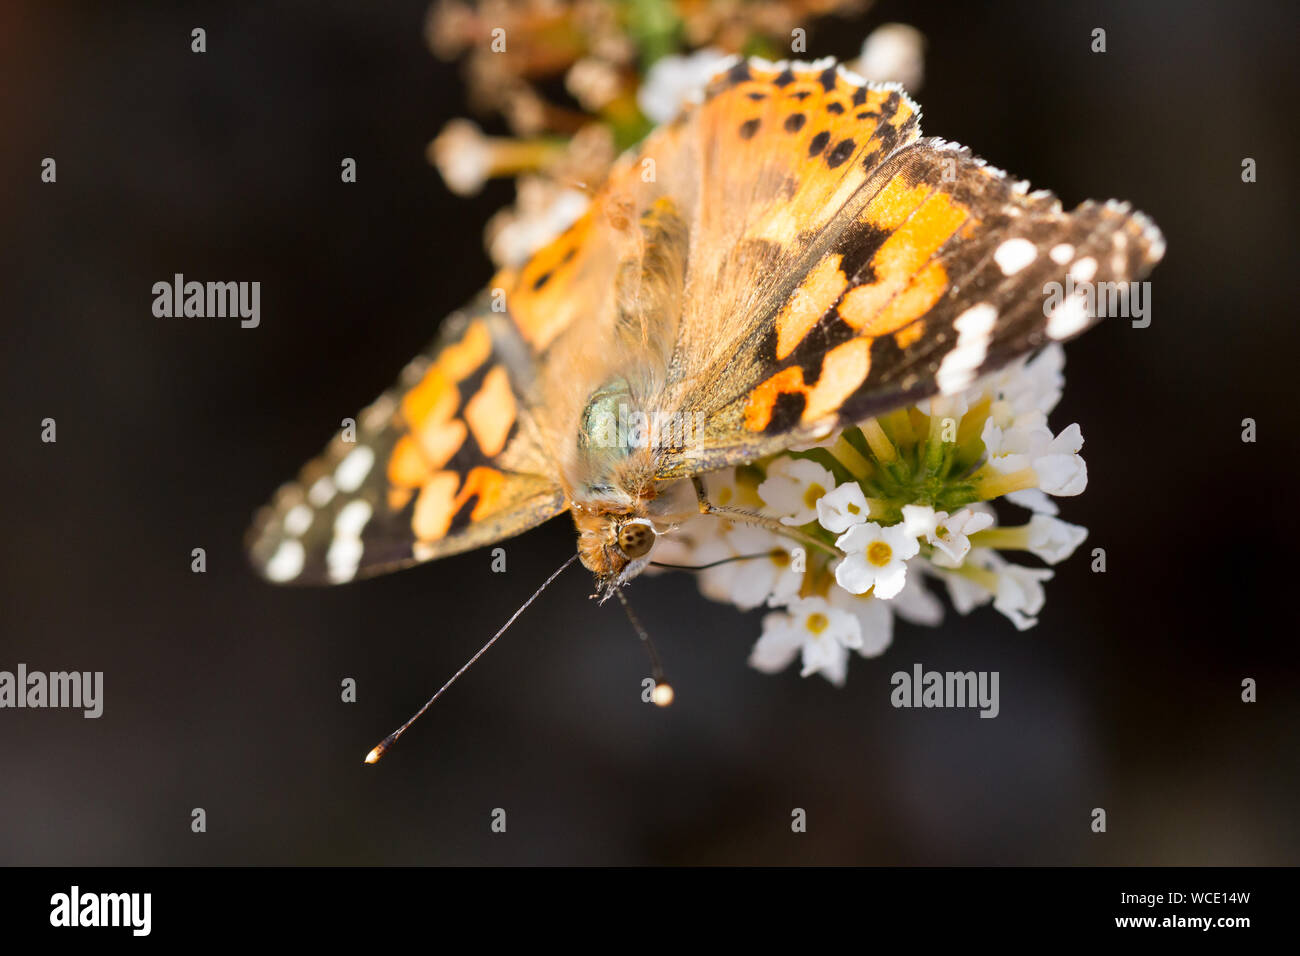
812	626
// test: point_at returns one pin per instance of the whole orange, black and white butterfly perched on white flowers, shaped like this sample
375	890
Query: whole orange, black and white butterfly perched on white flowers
785	259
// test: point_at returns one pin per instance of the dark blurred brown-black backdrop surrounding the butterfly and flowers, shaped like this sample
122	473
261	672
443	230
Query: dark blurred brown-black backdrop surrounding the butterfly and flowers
223	693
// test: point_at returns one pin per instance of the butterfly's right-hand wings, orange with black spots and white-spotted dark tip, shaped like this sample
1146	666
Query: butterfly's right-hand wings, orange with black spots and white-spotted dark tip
840	267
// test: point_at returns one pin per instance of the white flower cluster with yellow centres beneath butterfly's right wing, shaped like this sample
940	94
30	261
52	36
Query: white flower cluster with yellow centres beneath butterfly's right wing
866	517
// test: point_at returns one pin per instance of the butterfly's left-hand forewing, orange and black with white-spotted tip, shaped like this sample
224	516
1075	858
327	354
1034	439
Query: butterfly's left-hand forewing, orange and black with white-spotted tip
445	461
